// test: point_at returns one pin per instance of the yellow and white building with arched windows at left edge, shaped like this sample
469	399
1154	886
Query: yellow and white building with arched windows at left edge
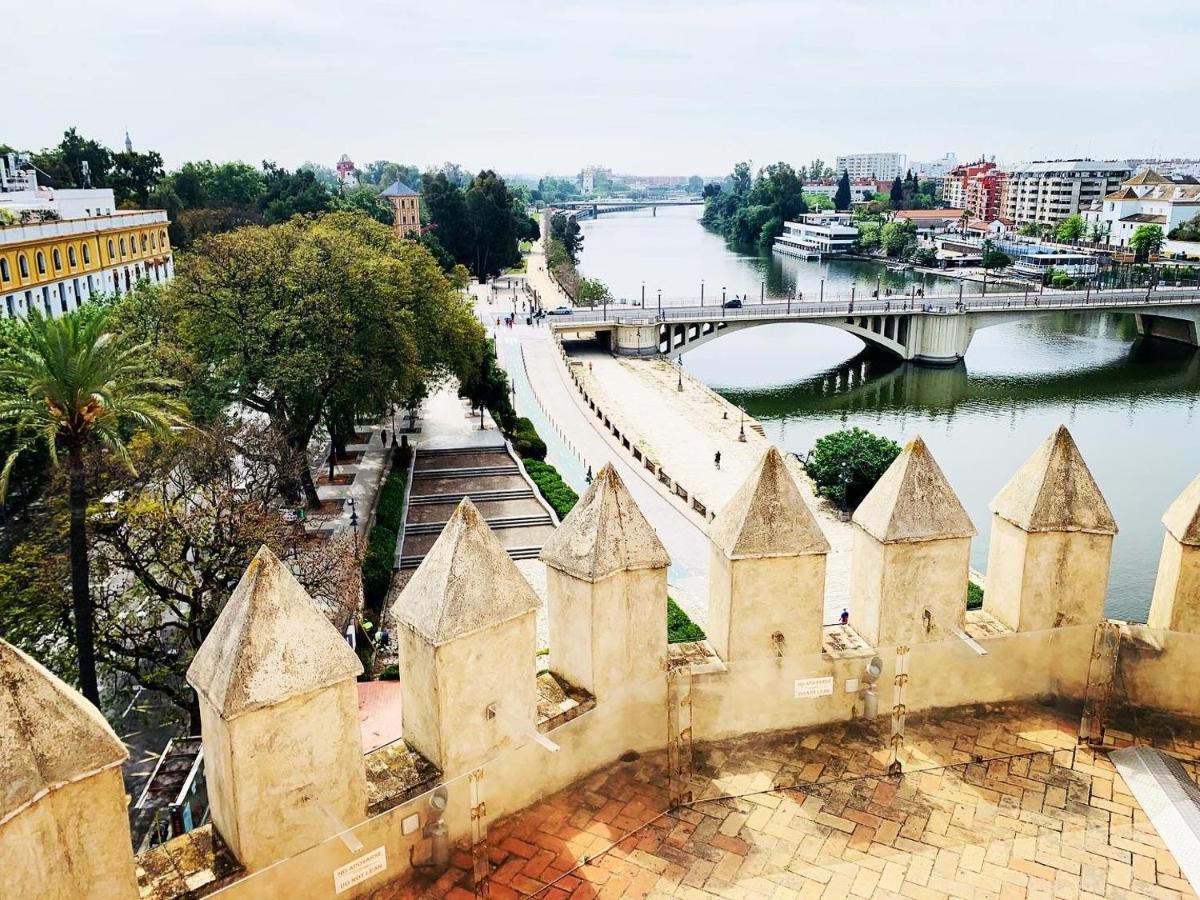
58	248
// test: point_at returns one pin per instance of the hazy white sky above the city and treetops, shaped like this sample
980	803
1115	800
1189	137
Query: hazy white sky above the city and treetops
674	87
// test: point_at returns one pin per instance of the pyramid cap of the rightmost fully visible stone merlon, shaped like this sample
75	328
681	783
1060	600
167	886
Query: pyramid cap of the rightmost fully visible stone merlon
1054	491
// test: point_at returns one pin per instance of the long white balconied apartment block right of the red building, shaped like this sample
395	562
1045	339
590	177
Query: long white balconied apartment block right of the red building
1048	193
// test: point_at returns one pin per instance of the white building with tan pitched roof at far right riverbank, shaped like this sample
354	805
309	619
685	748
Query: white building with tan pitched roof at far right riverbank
1147	199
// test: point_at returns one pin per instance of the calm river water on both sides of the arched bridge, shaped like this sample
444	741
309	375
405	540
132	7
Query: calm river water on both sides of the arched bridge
1132	406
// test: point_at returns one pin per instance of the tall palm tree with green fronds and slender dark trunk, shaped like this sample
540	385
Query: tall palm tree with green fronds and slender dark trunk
75	385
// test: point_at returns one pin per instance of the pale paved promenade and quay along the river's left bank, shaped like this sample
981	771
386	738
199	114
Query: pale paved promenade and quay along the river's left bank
682	431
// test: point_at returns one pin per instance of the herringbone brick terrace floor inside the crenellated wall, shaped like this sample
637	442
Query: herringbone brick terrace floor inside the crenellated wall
995	802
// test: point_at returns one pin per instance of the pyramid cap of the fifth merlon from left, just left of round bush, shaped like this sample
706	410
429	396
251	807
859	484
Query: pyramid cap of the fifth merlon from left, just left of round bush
767	517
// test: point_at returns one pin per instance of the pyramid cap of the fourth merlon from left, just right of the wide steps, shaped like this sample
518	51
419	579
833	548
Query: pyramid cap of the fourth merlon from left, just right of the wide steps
605	535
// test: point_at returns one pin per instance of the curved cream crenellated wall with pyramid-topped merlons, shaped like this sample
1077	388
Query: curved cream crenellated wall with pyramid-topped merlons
285	763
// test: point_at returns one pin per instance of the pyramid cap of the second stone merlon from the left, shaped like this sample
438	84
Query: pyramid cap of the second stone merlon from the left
271	644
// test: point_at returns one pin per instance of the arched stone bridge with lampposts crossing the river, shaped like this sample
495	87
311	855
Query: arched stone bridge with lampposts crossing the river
935	332
